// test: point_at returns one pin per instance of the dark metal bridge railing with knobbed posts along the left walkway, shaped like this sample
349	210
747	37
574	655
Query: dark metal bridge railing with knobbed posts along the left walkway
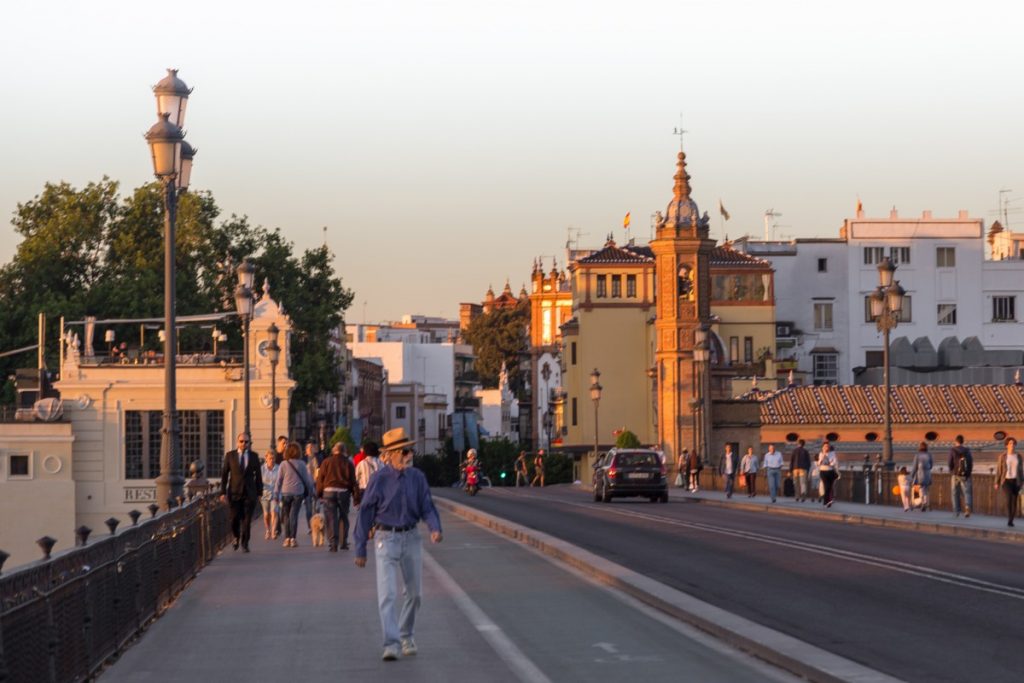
62	618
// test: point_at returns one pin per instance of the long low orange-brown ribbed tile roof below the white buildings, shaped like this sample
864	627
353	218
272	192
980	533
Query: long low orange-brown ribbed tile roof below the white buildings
998	404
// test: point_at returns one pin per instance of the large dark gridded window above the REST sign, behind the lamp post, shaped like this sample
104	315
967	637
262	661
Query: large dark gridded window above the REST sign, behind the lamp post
202	435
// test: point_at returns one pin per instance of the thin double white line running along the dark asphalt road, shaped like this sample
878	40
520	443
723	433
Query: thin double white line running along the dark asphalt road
838	553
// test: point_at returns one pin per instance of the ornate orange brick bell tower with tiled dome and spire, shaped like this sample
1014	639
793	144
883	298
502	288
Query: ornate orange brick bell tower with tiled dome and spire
682	254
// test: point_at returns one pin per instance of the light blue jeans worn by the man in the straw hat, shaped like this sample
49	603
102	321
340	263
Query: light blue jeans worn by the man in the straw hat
400	557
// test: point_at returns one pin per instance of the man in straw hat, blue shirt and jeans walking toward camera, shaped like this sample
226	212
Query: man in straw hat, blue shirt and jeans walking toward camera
397	499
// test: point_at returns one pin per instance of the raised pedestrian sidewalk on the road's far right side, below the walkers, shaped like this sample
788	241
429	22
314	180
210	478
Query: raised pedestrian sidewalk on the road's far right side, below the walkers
933	522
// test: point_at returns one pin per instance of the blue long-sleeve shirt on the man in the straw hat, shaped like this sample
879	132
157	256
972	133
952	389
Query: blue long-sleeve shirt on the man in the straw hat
395	499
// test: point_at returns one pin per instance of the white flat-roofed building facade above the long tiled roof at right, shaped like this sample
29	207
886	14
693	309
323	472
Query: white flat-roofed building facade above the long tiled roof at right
953	292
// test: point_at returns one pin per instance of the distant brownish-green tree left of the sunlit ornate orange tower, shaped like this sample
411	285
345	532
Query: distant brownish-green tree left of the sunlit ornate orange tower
500	337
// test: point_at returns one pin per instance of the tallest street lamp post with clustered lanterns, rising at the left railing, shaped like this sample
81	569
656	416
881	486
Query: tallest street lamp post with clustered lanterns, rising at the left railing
173	165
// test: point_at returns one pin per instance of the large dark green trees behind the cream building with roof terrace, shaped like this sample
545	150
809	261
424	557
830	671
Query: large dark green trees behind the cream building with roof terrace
93	252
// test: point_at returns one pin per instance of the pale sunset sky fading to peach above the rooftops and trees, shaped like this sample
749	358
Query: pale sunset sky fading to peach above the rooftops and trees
446	145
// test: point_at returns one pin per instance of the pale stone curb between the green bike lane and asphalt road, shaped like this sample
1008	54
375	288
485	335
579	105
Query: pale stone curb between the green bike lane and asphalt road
774	647
